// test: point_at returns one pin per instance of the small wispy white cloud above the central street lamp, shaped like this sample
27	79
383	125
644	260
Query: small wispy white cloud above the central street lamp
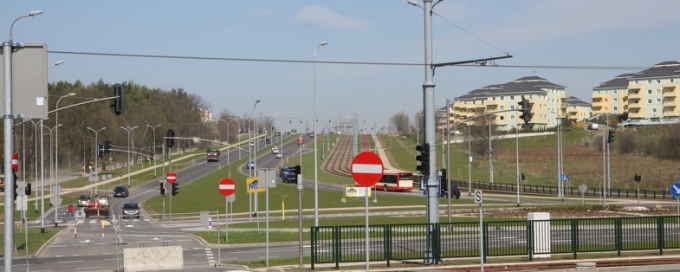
320	16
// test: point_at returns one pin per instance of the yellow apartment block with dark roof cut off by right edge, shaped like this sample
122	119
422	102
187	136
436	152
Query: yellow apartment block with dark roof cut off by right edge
650	95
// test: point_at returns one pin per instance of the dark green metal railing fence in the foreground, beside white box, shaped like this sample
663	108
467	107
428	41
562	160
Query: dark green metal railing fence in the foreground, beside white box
535	239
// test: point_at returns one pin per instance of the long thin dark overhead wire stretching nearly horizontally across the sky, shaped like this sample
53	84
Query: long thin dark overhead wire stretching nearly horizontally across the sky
560	67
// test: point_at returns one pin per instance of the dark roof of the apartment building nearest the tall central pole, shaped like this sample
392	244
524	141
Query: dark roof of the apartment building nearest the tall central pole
525	85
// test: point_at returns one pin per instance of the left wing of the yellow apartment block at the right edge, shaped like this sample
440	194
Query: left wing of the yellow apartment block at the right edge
611	97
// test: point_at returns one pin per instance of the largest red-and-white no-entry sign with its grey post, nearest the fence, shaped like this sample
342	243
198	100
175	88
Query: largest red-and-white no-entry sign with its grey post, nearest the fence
367	169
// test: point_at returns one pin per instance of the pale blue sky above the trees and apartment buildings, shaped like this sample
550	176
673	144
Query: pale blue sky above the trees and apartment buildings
239	52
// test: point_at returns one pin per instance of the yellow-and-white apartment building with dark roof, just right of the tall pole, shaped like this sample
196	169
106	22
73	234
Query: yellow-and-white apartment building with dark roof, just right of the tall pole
548	102
